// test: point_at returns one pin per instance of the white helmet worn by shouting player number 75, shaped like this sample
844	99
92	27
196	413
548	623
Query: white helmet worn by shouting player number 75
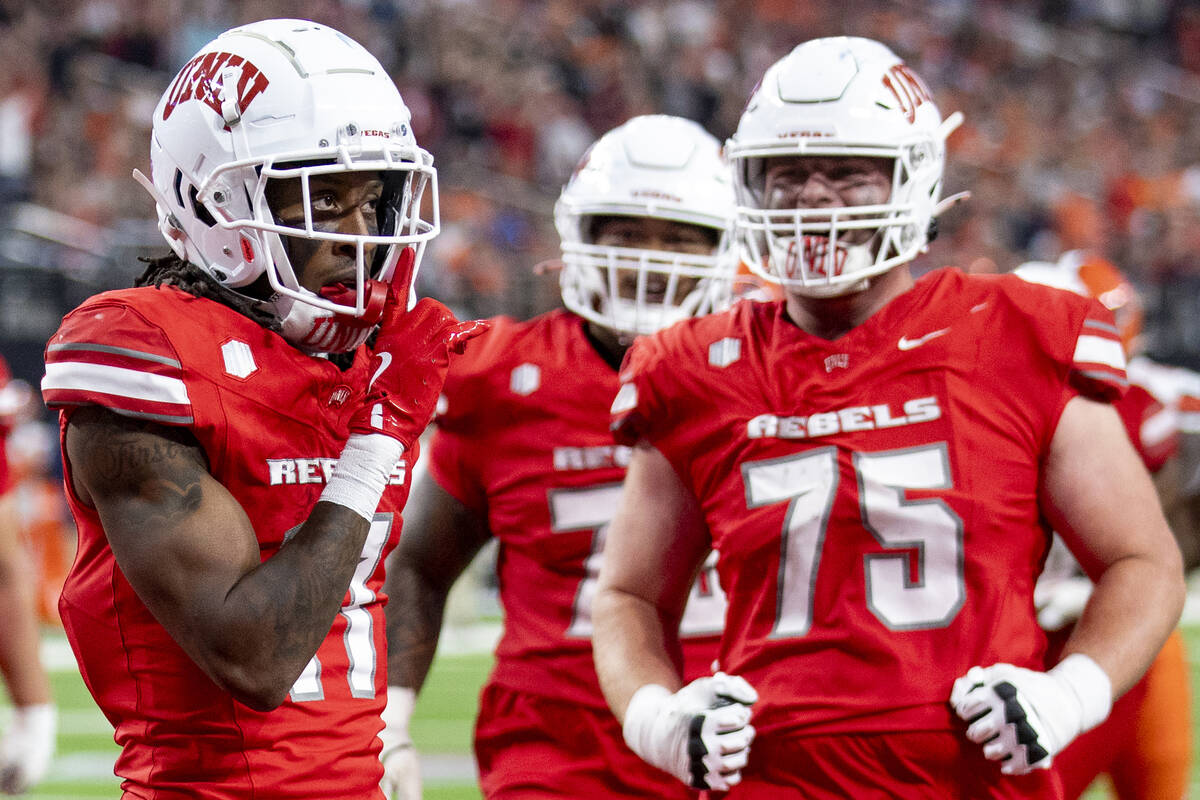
838	98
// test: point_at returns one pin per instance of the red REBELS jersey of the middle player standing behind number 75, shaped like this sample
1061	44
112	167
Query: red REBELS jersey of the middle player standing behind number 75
524	440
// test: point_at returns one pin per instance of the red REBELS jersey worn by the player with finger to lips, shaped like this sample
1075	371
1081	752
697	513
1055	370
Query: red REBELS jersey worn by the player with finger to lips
273	423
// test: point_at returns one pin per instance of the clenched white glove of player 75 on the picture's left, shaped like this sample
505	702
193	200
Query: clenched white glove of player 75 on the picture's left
701	735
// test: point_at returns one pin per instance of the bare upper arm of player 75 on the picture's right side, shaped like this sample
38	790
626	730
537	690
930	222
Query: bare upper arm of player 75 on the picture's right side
1097	494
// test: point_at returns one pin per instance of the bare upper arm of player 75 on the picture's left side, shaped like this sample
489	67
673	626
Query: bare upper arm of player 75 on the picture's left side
658	538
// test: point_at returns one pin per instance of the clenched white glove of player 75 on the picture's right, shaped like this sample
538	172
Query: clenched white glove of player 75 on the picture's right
1025	718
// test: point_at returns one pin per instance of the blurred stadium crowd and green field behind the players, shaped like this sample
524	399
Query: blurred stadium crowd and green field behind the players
1083	130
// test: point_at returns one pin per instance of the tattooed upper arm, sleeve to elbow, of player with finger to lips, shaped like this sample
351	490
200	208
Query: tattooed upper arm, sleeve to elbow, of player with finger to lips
179	538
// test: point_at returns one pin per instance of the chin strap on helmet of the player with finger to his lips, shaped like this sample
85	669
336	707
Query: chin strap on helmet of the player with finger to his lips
317	330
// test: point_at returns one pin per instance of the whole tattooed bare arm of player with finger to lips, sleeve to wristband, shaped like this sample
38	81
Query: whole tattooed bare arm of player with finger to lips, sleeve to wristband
190	552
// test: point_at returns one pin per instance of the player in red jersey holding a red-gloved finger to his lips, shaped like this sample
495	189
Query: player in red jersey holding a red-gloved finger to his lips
236	458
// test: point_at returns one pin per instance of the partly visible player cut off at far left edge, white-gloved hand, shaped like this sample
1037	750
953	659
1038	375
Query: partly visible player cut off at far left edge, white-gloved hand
29	739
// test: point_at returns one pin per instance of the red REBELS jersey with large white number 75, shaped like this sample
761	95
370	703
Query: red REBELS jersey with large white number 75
874	498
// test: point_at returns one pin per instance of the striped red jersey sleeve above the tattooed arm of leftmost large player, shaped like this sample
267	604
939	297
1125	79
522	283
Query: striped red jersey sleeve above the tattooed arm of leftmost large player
107	354
